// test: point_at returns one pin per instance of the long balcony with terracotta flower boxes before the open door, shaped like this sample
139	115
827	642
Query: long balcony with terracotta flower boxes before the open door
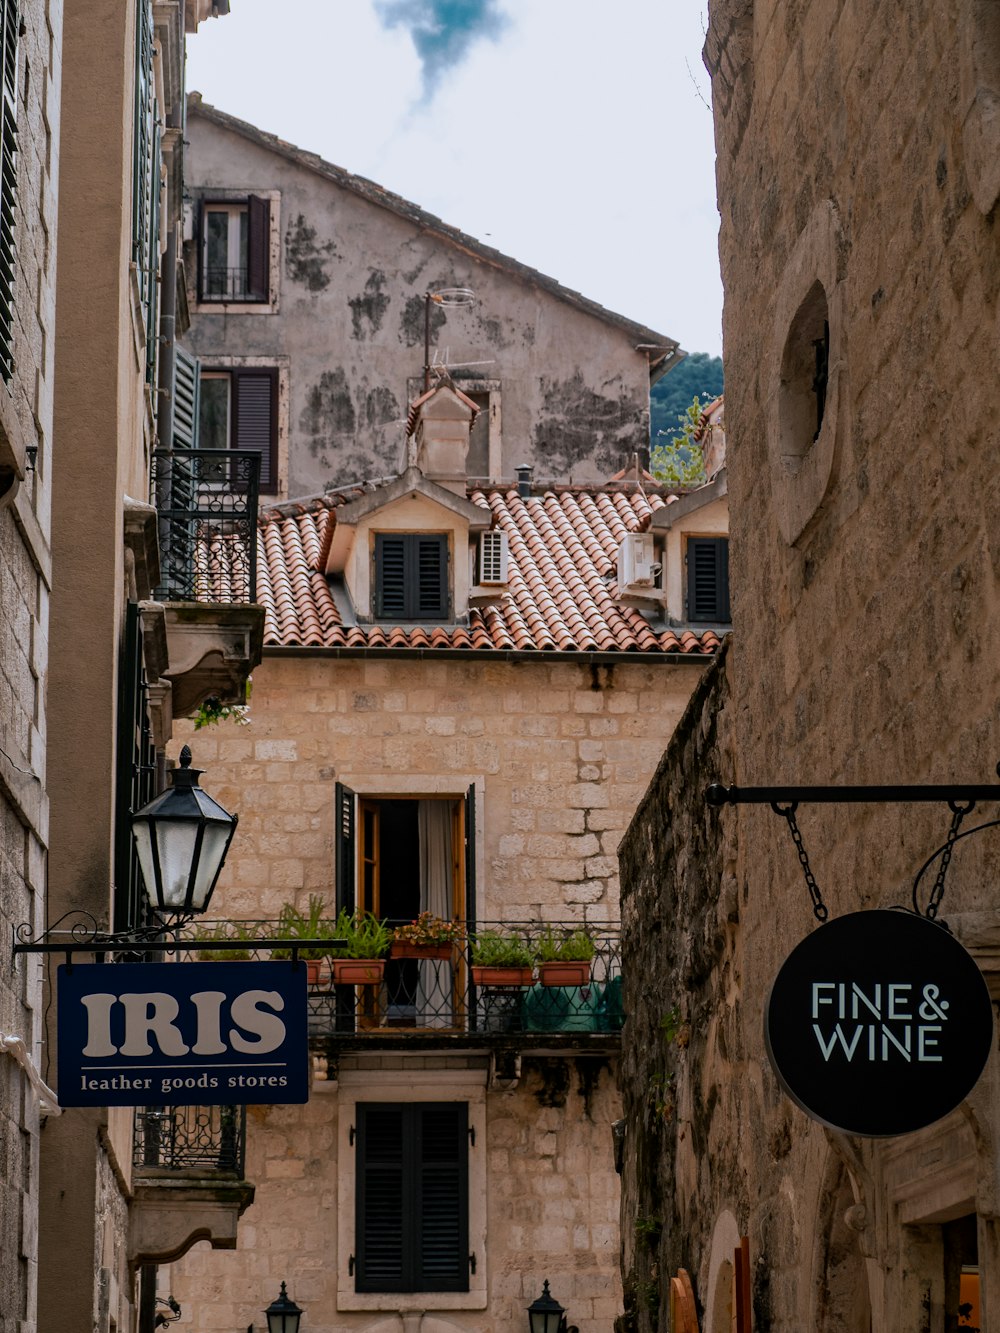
439	1002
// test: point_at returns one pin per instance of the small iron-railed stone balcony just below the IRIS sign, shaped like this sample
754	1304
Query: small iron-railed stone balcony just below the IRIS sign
187	1179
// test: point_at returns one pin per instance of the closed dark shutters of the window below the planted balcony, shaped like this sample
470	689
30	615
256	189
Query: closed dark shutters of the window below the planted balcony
413	1198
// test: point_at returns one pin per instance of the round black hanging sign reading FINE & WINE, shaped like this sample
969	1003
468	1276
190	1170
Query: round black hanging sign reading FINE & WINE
879	1023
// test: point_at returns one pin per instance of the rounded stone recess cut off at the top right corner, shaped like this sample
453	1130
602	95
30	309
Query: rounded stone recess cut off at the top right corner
981	99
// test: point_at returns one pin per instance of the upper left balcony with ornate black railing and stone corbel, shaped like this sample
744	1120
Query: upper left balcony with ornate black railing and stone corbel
207	519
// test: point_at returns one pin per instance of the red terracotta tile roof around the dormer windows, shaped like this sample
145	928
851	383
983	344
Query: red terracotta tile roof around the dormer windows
561	597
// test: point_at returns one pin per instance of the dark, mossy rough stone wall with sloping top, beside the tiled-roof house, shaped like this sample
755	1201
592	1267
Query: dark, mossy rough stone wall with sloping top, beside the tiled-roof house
681	907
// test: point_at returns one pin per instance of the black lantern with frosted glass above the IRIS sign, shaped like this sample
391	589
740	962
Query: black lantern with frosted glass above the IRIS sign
182	839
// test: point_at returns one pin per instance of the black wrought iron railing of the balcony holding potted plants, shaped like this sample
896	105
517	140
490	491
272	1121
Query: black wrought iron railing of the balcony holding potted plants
450	996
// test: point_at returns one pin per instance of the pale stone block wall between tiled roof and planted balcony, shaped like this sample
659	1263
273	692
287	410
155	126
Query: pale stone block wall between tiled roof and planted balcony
562	754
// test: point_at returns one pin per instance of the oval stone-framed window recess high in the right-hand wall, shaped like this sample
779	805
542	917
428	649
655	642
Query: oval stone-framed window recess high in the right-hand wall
807	438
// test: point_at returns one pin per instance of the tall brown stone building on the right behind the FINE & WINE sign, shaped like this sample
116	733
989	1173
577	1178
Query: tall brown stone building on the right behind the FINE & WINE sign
858	186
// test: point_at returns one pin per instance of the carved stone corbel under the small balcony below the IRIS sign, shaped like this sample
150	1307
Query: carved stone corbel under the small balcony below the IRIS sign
170	1214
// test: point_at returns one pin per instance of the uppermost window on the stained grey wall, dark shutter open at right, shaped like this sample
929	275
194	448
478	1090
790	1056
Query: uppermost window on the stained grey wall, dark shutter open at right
235	251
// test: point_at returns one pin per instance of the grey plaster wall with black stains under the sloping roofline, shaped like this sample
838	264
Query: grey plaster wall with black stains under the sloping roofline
350	317
